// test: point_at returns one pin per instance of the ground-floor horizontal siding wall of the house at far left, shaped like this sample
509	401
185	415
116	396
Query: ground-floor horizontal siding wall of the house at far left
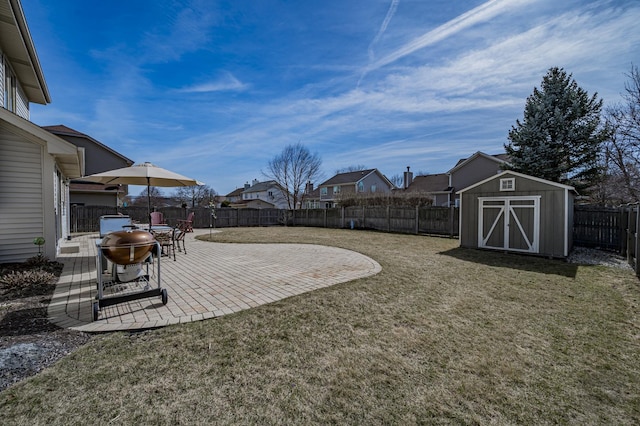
21	197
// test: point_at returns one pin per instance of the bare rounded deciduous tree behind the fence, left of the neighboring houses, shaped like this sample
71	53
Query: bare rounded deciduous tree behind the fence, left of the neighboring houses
292	169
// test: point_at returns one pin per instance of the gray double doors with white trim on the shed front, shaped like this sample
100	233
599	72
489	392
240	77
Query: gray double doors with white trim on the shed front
509	223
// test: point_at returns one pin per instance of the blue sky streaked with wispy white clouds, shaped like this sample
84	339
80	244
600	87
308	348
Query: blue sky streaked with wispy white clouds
215	89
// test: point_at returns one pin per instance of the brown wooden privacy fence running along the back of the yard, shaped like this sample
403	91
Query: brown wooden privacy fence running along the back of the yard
614	229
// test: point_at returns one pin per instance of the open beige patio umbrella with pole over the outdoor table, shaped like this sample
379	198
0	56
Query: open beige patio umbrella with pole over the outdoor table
142	174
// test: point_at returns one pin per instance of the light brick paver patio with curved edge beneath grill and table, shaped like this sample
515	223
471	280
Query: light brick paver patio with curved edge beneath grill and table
211	280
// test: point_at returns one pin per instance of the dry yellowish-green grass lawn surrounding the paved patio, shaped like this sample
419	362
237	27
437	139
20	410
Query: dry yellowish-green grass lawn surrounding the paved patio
442	335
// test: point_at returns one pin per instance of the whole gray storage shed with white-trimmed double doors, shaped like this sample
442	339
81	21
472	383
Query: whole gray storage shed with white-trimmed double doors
515	212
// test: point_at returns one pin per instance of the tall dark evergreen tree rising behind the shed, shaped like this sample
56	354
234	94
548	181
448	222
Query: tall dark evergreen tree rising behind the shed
560	136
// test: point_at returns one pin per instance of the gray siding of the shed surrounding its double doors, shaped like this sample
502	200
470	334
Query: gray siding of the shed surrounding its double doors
553	227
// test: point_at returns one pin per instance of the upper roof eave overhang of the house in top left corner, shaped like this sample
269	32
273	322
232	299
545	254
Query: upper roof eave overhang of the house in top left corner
17	45
